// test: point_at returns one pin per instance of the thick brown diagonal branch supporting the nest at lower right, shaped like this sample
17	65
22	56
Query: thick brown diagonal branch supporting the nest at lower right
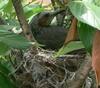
81	74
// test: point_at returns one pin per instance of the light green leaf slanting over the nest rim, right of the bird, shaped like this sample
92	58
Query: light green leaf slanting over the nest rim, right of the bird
71	46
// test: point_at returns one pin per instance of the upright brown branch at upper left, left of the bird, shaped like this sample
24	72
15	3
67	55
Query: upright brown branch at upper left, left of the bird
22	20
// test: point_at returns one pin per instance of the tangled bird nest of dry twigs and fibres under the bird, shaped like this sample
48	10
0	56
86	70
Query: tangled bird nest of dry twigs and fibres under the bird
40	70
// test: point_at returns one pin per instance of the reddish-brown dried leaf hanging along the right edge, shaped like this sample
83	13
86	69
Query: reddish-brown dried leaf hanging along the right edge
96	56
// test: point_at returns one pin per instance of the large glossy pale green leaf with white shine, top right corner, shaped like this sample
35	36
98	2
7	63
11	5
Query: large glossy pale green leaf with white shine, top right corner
86	11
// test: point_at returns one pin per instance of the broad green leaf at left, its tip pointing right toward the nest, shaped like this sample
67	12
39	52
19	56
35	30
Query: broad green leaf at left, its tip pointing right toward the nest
16	41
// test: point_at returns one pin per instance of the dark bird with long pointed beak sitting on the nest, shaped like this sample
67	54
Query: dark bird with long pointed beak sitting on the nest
51	36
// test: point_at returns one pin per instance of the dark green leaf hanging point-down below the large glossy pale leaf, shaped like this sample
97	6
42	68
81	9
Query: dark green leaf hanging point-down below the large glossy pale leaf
86	34
